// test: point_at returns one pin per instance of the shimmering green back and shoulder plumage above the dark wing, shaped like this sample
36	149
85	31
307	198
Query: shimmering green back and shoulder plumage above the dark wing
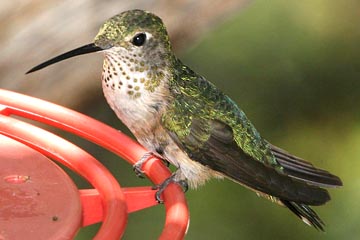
197	98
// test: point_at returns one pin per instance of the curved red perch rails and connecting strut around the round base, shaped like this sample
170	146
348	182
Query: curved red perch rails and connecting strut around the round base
108	202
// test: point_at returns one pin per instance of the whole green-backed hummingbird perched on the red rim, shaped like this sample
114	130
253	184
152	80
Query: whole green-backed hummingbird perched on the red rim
184	119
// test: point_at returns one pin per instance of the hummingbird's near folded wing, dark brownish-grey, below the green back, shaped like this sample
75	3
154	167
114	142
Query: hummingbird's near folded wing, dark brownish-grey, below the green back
211	143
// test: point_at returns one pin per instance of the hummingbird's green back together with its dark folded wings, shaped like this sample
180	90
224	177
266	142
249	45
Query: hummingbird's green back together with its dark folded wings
213	131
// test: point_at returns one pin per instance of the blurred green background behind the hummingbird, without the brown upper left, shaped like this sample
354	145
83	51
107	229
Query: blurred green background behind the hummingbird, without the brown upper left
294	68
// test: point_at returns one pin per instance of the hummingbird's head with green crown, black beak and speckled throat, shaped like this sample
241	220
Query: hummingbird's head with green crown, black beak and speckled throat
136	47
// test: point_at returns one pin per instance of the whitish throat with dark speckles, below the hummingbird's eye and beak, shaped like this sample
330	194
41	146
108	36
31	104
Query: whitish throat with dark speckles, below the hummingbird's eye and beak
133	71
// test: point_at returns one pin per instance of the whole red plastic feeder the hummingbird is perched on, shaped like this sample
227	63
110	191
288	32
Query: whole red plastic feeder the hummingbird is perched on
38	200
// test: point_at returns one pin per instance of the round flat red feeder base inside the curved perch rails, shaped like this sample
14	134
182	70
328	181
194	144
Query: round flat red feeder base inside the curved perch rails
35	192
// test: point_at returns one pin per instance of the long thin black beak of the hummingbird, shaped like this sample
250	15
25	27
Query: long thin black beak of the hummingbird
89	48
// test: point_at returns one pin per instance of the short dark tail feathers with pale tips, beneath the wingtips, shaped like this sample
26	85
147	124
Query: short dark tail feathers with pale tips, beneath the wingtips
305	213
